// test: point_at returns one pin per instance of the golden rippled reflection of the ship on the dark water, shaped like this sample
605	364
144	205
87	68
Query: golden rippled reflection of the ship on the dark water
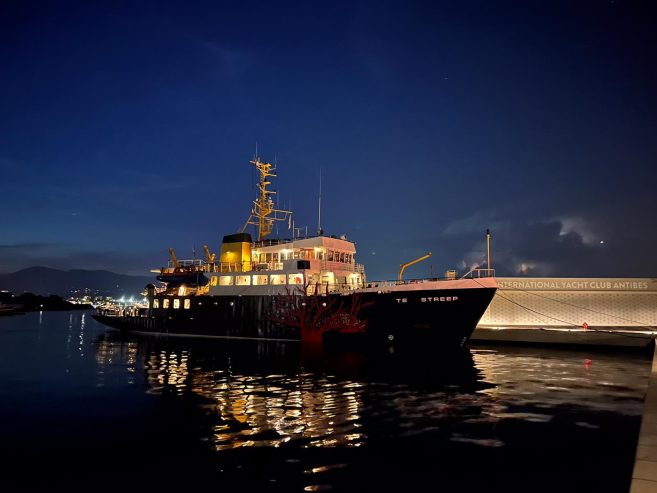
268	394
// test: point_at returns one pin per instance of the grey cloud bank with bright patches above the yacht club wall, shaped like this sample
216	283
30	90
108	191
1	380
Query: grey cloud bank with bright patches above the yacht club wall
608	240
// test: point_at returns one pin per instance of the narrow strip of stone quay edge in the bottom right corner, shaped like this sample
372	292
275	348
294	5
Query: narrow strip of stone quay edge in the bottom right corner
644	476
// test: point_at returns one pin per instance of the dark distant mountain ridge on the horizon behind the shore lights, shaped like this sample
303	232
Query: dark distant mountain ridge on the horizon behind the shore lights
46	281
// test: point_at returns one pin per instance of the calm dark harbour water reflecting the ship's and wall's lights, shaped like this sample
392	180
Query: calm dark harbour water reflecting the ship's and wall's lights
85	406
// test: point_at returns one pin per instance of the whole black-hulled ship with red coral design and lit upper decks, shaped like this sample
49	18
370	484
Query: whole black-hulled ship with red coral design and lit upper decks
308	289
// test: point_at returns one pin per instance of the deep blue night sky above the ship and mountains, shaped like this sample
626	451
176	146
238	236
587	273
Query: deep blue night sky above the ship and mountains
127	128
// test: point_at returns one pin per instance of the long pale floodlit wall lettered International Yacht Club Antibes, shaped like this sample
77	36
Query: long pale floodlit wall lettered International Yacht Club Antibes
572	311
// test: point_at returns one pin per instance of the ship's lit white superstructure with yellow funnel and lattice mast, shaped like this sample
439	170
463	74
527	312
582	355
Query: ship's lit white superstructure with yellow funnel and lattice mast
317	264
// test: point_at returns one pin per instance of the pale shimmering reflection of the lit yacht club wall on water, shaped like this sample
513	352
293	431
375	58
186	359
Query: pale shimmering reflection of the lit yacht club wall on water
545	379
